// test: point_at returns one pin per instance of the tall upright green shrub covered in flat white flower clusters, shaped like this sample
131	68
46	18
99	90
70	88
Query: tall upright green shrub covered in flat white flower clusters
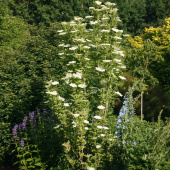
84	98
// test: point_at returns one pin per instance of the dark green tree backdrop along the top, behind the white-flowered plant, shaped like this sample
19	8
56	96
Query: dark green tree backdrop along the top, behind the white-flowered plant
135	14
